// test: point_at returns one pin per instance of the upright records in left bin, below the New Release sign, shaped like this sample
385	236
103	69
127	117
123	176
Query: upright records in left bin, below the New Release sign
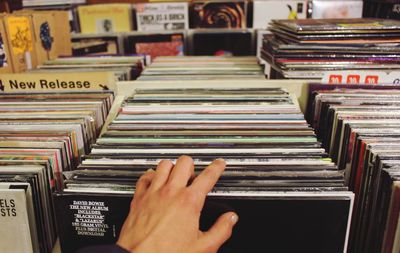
42	135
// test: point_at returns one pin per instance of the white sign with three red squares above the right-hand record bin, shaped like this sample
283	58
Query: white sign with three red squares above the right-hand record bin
362	77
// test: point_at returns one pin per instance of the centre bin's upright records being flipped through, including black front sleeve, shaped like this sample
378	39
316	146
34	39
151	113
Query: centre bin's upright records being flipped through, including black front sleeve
289	196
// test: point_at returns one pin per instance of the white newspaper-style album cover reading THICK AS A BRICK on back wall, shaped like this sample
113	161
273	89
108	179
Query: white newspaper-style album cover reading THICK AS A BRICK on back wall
162	16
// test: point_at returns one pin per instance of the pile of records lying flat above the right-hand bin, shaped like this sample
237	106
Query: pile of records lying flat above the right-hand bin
307	48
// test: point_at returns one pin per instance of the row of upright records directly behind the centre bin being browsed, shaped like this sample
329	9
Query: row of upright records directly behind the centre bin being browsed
203	68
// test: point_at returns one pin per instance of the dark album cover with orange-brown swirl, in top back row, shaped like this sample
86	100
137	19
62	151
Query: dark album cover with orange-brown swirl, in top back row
218	14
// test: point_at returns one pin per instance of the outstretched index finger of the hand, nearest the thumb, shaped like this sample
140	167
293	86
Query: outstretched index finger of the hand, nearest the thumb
206	180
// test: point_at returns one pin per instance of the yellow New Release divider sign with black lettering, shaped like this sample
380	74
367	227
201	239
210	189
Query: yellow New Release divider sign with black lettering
31	82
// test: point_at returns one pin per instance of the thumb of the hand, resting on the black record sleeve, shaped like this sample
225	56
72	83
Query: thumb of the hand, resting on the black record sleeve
220	231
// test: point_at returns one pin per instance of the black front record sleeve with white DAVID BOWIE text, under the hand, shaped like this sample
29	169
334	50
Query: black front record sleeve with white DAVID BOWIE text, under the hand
112	211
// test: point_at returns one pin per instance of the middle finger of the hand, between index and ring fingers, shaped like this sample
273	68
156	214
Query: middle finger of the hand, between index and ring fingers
182	172
